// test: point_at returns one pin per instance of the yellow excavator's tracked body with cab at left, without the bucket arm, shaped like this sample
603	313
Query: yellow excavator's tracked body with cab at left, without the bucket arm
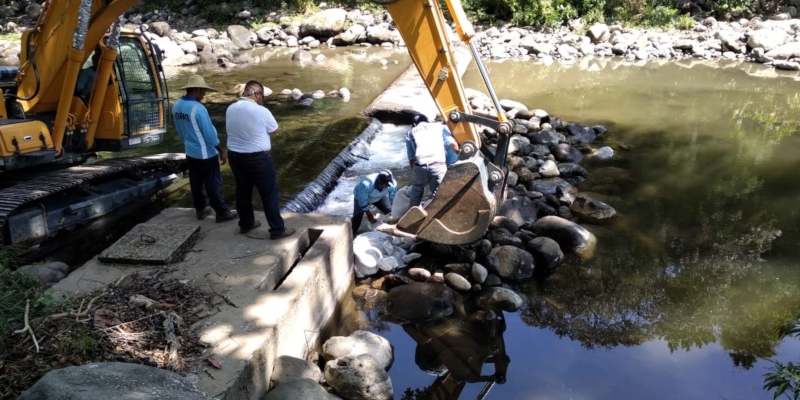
58	112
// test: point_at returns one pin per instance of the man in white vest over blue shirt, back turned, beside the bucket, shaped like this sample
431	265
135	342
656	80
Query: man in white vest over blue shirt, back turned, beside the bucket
425	147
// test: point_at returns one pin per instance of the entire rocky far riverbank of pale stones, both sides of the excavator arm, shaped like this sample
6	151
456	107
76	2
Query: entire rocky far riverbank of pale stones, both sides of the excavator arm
188	40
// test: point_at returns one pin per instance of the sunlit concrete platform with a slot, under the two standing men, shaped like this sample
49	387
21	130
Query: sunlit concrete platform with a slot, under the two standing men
279	294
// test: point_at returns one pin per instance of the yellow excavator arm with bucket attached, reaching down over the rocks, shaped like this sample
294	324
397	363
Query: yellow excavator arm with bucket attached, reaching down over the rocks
473	188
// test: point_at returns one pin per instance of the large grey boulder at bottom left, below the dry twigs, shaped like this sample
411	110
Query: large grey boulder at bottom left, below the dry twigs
113	380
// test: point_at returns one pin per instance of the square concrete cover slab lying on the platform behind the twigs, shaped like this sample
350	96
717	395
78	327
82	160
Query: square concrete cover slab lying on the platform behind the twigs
151	244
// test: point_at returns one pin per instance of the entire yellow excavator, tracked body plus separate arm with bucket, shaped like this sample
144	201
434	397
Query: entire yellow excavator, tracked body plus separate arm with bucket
48	129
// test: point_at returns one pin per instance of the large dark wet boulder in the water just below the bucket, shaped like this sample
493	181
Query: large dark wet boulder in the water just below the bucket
421	302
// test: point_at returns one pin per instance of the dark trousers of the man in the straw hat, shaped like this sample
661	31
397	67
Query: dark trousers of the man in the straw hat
205	174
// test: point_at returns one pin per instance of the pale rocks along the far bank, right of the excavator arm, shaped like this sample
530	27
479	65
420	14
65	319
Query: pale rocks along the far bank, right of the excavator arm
774	42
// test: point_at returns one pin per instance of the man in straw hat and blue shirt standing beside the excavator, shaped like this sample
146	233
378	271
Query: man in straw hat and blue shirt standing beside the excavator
203	151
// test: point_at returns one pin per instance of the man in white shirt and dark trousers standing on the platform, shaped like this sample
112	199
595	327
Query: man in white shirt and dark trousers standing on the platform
249	125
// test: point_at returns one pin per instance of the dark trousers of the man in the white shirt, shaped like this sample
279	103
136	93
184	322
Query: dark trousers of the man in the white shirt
256	170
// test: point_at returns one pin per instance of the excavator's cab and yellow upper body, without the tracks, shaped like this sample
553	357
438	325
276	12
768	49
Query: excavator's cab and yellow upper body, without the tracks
47	119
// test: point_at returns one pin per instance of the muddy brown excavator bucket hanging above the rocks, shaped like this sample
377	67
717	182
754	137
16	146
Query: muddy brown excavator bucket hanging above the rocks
463	206
